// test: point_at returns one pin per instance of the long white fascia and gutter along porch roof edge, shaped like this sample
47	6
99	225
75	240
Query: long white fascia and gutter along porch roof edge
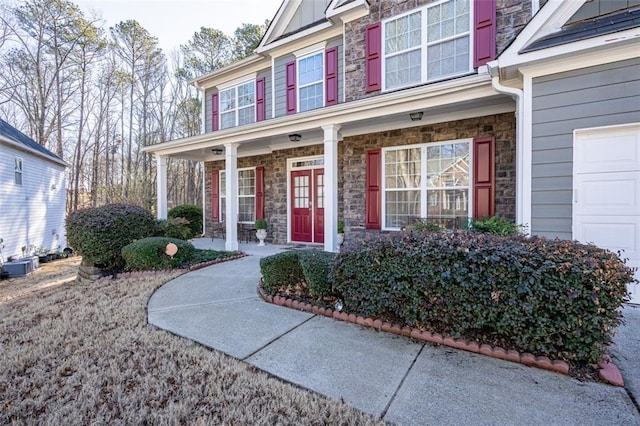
422	97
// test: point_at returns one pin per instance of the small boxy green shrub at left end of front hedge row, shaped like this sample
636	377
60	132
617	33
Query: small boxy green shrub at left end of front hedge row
280	271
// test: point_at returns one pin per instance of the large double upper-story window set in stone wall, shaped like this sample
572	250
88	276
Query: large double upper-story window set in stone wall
428	44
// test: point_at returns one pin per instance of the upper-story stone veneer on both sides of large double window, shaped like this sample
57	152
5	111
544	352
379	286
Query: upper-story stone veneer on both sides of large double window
511	17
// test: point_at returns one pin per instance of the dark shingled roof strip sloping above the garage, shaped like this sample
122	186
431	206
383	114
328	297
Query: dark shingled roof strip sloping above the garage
601	25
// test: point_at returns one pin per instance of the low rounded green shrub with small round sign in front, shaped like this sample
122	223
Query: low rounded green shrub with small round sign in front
150	254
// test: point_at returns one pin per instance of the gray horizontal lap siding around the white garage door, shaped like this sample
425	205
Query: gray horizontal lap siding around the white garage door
603	95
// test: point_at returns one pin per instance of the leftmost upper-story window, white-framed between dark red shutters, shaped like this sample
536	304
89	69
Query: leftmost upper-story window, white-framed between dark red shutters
238	105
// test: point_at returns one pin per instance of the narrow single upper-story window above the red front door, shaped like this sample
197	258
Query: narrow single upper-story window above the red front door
311	82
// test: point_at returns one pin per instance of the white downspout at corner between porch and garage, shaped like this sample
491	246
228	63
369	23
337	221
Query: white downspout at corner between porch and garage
518	96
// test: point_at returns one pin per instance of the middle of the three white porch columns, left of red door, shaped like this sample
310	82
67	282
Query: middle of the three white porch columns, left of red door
231	192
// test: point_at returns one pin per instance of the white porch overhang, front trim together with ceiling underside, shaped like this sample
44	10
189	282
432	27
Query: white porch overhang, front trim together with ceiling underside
381	113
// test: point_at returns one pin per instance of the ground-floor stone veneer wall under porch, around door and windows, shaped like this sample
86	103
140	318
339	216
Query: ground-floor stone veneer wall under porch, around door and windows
351	170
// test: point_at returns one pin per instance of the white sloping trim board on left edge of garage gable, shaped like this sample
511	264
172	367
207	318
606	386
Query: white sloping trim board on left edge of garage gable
549	19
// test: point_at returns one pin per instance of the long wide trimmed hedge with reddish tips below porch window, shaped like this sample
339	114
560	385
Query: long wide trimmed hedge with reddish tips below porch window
548	297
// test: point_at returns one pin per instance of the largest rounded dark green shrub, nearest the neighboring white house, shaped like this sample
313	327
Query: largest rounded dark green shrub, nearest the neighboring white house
98	234
